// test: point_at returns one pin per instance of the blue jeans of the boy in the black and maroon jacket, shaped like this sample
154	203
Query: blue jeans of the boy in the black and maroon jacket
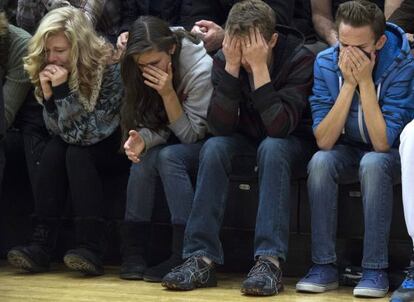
278	161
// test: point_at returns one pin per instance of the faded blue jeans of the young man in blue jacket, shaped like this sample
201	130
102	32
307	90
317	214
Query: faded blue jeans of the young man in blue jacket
377	172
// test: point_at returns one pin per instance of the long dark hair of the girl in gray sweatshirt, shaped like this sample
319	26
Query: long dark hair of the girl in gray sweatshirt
142	105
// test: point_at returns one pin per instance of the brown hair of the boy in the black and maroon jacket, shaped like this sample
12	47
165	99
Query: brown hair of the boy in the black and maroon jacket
249	14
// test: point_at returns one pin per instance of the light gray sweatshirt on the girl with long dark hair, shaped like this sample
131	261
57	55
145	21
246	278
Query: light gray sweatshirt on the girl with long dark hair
194	91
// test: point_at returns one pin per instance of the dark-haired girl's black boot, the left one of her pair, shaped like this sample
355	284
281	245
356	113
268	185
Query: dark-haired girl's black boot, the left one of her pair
134	237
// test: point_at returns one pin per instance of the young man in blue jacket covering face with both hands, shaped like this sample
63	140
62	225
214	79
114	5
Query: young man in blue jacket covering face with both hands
362	99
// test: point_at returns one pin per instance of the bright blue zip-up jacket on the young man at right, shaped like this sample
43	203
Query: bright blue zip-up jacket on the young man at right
394	83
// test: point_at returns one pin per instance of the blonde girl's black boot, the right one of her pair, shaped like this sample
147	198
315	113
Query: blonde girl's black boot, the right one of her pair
87	257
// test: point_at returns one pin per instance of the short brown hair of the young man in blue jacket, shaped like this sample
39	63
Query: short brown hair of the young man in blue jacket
361	13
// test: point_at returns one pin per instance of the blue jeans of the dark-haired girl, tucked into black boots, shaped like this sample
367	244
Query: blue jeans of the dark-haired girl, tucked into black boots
173	165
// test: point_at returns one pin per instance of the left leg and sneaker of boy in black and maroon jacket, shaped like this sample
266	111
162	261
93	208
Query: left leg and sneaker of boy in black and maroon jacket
202	244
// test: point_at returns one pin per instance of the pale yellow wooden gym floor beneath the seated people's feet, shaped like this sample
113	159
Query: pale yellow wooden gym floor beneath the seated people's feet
62	285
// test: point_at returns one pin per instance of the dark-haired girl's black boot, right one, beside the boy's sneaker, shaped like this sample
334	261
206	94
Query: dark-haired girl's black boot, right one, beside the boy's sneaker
156	273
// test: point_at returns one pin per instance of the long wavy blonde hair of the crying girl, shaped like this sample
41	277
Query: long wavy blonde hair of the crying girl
89	53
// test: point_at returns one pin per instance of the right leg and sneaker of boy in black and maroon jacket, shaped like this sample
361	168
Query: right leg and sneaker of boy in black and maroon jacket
278	159
